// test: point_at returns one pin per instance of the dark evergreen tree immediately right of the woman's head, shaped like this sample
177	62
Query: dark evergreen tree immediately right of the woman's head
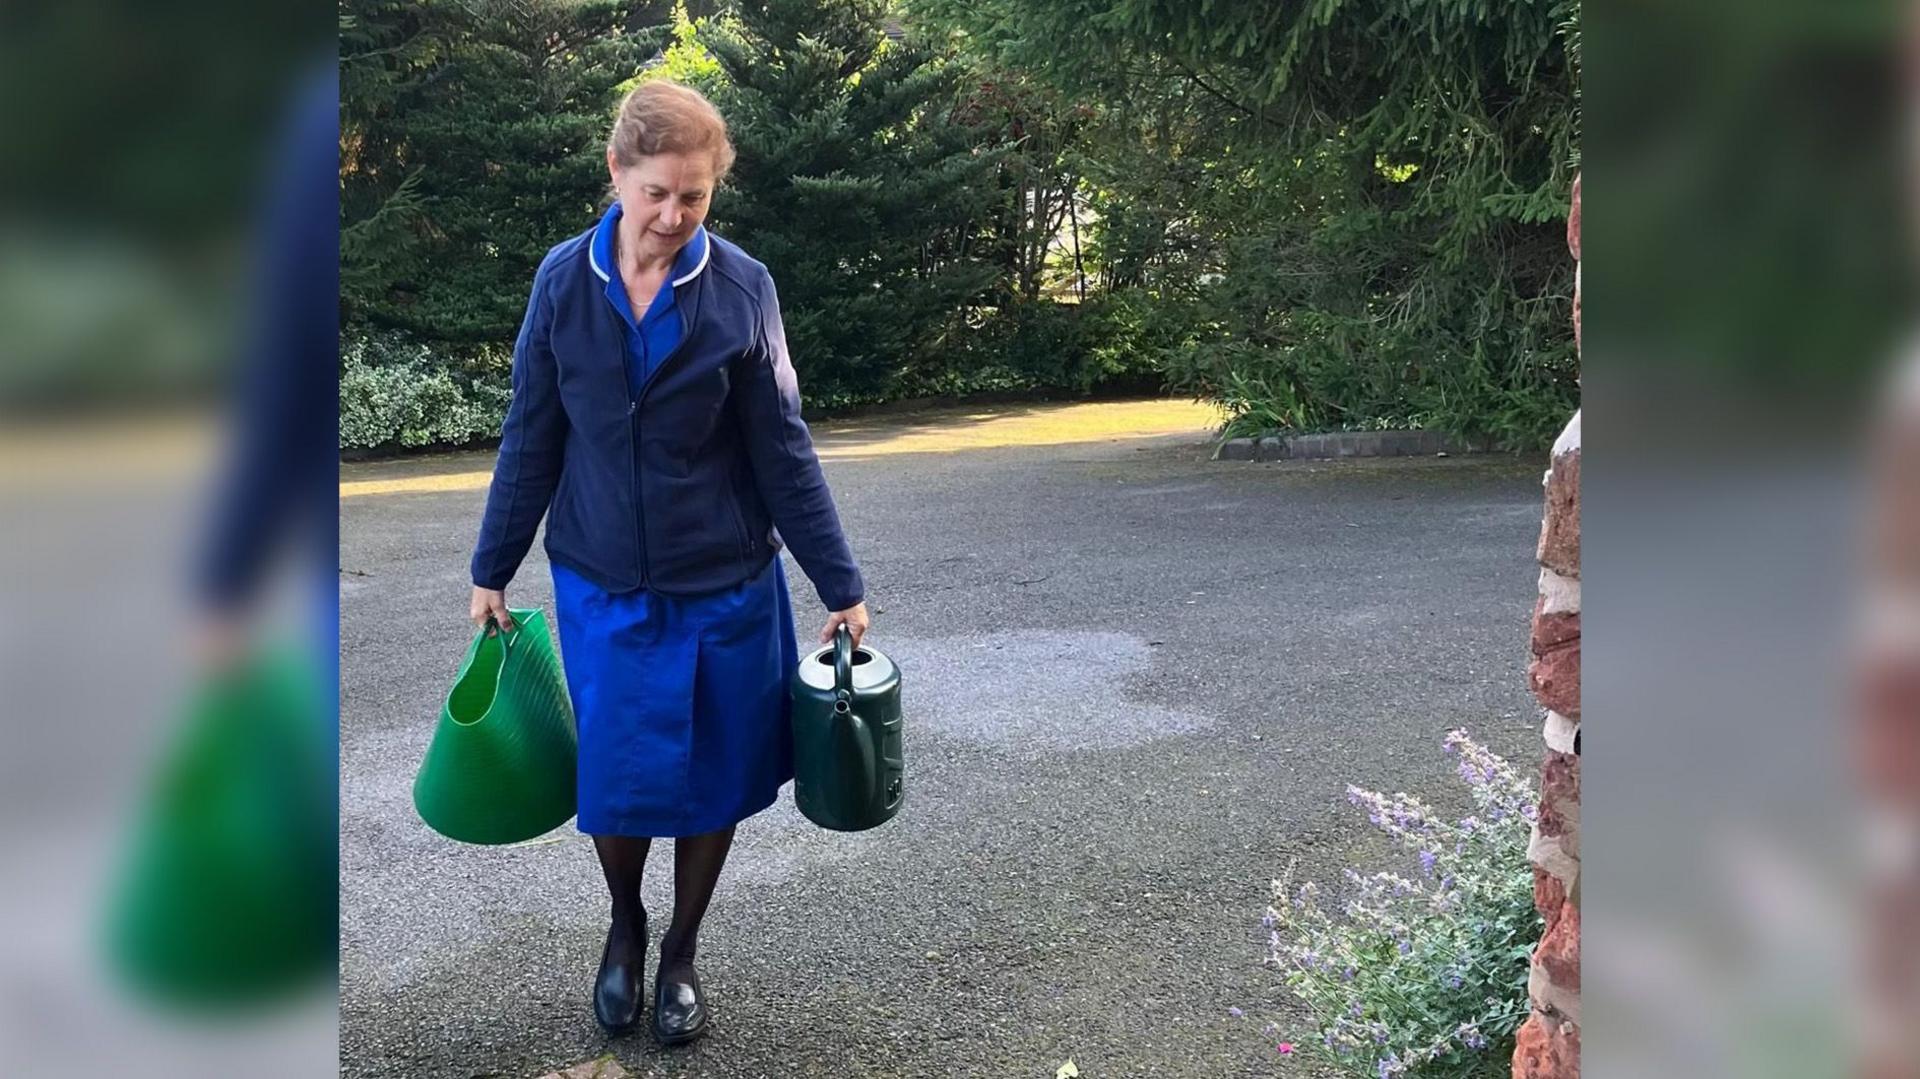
853	187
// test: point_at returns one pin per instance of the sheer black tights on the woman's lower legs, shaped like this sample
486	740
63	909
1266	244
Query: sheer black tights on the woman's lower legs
698	863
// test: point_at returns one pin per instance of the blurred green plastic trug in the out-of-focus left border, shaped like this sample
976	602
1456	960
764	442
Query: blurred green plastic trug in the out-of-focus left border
229	890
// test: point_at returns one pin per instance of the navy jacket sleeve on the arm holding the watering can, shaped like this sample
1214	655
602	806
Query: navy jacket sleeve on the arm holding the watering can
767	400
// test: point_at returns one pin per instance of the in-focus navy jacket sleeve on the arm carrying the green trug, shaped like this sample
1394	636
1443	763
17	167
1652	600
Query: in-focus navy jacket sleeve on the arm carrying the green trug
531	448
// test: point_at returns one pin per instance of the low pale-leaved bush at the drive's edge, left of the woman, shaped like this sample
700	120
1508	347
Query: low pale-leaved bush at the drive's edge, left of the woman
396	393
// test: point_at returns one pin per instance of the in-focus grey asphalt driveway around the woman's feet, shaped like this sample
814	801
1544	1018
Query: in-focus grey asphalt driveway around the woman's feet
1138	684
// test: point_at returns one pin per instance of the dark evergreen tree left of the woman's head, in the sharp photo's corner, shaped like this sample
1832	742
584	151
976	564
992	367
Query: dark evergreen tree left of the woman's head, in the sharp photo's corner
473	139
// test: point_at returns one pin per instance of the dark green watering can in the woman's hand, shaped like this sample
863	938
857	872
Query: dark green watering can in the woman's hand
848	769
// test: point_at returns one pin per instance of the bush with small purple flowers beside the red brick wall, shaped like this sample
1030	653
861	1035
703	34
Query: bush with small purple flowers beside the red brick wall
1422	976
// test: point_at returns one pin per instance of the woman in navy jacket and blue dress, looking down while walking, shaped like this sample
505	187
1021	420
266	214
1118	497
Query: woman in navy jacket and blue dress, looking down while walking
656	425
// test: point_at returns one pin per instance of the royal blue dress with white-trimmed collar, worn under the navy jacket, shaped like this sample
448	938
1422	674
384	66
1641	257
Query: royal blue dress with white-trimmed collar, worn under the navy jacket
681	702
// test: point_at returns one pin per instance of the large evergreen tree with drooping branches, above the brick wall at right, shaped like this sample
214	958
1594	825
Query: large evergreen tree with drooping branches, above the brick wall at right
1353	212
